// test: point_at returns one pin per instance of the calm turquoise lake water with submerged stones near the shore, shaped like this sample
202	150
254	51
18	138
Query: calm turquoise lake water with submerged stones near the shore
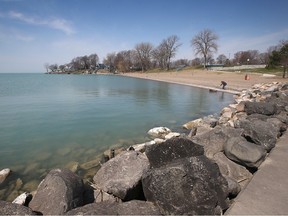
50	121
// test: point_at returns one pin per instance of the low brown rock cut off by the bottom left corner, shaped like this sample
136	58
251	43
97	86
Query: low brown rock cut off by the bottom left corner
7	208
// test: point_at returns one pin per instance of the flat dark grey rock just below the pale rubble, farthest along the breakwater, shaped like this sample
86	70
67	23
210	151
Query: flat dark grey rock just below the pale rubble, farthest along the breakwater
264	108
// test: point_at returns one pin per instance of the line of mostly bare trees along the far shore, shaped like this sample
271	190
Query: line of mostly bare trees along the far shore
145	56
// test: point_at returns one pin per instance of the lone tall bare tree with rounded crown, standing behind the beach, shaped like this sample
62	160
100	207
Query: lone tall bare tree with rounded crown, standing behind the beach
204	44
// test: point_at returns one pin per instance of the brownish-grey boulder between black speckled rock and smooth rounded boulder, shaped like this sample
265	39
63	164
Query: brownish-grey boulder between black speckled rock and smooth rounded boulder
214	140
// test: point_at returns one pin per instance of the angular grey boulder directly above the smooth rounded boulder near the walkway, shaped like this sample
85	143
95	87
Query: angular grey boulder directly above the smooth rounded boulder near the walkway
260	132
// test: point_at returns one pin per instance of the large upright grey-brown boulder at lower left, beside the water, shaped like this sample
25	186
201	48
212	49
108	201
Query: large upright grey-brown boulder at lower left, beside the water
59	192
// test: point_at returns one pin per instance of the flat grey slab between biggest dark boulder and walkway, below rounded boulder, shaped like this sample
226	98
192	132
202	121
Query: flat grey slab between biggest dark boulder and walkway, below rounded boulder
232	170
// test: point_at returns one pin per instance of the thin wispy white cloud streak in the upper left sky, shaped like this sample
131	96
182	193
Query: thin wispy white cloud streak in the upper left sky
55	23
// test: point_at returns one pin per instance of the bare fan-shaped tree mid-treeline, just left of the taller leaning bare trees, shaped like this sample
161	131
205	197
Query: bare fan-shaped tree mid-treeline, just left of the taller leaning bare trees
143	54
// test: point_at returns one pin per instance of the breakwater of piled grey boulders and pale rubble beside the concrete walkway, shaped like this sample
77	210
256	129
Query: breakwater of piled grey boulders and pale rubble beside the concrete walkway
199	173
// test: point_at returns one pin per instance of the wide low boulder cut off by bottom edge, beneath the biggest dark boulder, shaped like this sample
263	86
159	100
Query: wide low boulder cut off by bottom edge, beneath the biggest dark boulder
134	207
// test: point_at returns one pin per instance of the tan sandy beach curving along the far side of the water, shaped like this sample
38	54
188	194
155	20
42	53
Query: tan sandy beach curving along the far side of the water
209	79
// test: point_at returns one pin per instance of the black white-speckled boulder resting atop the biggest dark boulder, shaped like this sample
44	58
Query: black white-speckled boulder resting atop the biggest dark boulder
172	149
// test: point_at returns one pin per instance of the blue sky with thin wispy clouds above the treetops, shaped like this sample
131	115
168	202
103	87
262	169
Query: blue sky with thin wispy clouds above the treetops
34	32
